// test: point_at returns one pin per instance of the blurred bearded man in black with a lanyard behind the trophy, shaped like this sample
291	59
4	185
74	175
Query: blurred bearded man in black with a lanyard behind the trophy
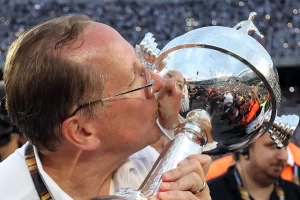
256	175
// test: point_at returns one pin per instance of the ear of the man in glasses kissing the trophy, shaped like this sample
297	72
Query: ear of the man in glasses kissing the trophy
79	131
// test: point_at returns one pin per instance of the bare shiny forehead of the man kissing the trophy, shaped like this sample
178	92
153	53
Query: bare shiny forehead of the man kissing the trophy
104	49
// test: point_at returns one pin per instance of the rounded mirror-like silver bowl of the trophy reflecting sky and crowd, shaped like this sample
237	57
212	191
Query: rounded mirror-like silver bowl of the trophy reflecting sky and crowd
231	76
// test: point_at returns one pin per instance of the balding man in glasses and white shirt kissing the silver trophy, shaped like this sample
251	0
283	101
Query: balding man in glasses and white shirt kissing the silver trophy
77	91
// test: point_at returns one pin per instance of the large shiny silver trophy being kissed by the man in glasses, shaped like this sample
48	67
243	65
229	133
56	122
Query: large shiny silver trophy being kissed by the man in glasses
230	81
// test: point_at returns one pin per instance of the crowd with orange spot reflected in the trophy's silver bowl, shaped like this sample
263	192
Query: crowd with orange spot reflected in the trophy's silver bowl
233	107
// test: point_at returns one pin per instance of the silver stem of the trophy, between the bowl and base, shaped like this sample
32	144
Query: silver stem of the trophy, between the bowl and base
189	139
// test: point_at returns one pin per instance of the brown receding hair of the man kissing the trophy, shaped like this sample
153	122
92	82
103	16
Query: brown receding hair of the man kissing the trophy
42	88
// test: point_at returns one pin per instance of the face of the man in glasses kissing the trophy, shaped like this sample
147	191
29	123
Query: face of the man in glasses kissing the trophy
127	122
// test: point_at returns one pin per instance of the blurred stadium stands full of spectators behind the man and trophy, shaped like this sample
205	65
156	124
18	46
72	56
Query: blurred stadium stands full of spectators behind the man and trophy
277	20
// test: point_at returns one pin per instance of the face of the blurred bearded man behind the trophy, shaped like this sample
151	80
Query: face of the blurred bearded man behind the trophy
266	159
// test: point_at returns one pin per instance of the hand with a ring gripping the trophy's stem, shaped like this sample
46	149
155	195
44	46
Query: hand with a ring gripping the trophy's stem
185	181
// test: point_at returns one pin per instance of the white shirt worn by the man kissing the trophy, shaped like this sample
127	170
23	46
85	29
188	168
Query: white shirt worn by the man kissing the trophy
16	182
